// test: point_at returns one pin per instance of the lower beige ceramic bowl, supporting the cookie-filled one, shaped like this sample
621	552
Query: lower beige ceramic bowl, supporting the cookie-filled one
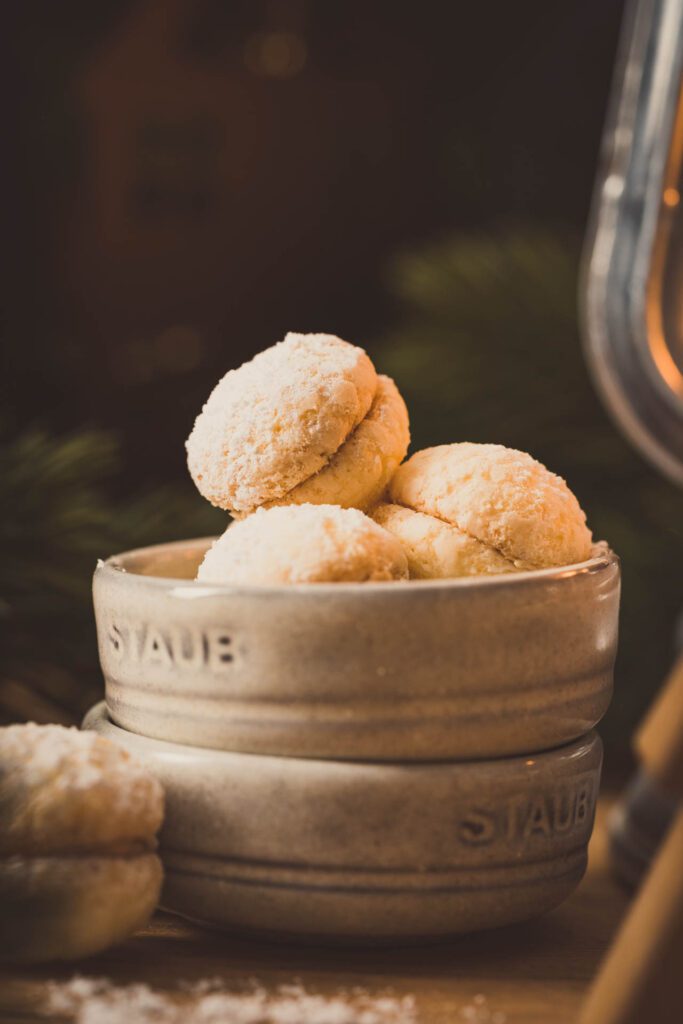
367	851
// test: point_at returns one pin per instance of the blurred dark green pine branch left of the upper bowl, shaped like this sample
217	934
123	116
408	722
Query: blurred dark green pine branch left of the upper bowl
59	519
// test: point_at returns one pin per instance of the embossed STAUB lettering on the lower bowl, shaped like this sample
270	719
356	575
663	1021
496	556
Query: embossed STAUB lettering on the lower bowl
524	819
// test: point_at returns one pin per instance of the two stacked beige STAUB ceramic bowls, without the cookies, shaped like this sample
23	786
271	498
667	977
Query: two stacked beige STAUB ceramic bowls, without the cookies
373	762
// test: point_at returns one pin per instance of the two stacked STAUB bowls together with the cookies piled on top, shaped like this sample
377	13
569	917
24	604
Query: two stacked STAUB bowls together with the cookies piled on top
372	712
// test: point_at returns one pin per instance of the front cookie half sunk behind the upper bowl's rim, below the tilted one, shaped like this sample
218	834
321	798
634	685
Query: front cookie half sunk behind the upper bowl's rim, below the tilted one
305	544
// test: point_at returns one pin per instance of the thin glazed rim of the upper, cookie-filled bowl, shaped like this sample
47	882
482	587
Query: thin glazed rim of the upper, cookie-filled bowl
603	560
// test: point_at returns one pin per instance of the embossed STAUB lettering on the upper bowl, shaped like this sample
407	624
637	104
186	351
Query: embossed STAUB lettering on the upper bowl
172	647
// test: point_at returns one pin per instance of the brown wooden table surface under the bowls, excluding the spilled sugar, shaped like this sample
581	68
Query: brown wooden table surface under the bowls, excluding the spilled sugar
536	973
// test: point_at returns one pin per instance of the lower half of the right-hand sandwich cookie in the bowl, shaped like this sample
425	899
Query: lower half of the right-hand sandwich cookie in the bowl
436	549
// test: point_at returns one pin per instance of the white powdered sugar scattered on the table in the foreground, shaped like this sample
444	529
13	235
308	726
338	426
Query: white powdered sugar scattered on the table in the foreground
98	1001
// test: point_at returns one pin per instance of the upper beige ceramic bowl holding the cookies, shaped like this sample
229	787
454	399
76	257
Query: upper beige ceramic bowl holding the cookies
426	670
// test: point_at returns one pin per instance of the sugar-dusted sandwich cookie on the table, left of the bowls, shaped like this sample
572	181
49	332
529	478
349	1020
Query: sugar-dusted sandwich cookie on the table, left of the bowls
78	824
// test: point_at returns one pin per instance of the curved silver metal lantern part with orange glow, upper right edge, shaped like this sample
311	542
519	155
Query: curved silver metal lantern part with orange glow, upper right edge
633	273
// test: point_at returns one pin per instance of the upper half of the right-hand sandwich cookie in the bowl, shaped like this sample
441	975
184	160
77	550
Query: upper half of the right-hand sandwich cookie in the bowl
501	497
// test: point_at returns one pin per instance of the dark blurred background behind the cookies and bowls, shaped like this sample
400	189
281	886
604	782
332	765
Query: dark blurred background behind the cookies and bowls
189	180
